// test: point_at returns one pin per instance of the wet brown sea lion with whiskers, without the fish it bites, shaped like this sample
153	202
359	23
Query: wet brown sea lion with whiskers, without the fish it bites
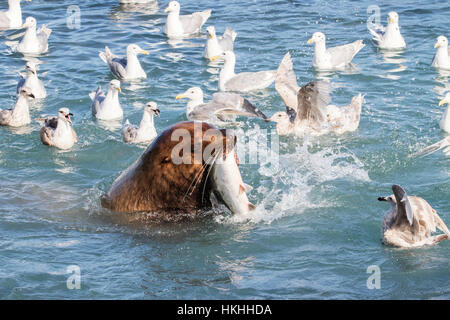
172	175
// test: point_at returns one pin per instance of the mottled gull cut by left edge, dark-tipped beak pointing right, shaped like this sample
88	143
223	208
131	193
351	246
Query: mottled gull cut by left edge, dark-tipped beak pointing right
19	115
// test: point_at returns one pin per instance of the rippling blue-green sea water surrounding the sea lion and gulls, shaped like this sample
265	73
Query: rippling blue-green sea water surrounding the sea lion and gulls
316	229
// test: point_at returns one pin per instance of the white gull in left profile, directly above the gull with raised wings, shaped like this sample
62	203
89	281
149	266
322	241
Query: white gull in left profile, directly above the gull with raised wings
333	58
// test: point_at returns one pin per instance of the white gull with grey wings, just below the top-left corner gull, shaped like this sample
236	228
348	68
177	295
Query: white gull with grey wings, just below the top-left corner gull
34	41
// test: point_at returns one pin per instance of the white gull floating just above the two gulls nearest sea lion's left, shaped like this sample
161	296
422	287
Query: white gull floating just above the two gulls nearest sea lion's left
107	107
